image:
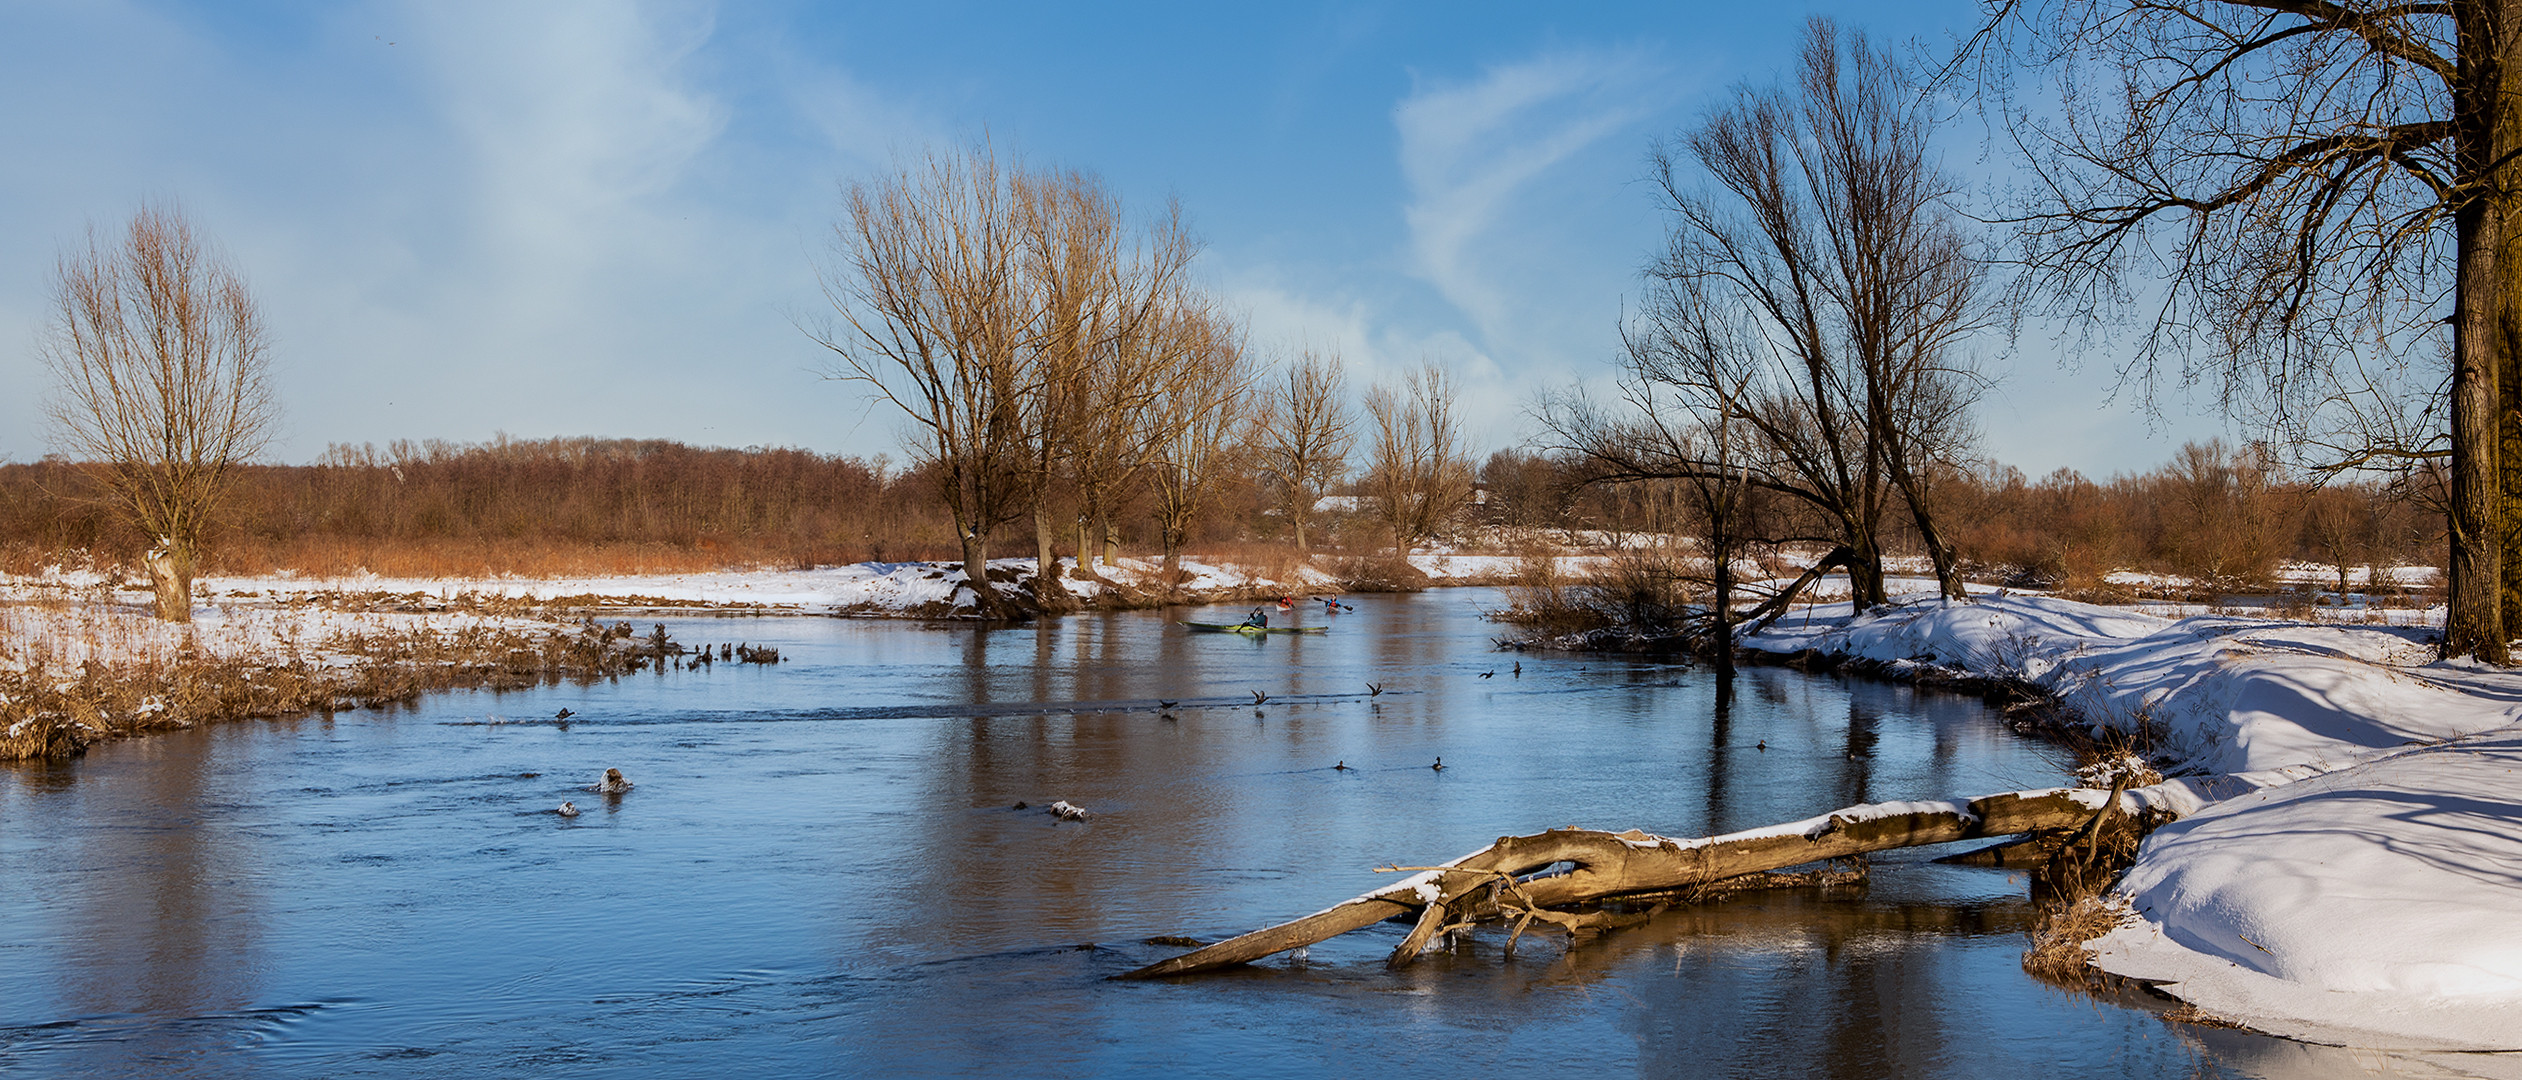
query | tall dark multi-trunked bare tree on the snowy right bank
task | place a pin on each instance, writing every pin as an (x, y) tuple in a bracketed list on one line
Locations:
[(1812, 304)]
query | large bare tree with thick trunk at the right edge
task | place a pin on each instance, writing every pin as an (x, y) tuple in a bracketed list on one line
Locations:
[(2294, 188)]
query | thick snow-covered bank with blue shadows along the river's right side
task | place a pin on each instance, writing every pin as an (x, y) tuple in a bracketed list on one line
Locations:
[(2362, 877)]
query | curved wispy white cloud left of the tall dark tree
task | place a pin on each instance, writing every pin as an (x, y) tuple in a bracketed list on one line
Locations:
[(1472, 150)]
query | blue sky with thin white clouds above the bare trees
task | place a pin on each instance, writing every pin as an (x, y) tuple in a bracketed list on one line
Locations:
[(601, 218)]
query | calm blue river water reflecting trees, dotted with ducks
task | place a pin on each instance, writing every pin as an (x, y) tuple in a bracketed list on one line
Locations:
[(821, 872)]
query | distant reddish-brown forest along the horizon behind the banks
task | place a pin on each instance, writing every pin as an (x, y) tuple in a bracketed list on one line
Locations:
[(647, 506)]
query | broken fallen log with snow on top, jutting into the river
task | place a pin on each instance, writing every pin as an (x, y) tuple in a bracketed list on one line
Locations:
[(1567, 867)]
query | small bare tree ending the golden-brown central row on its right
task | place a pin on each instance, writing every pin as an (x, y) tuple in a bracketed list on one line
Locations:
[(1419, 471)]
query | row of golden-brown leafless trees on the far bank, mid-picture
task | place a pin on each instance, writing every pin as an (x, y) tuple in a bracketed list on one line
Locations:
[(1058, 357)]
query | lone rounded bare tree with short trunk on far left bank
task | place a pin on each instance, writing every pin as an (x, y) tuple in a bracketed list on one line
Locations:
[(163, 385)]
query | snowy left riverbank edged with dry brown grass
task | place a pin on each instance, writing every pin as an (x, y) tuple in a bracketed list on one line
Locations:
[(82, 660)]
